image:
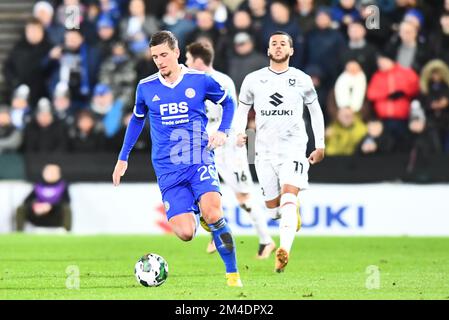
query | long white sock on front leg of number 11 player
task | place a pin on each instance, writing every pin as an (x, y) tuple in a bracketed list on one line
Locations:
[(289, 220)]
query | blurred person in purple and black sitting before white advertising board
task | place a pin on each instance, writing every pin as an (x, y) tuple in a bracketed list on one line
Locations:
[(48, 205)]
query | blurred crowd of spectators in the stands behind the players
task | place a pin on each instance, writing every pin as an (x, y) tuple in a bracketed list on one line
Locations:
[(382, 76)]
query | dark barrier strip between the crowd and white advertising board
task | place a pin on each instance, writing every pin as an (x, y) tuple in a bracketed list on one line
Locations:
[(97, 167)]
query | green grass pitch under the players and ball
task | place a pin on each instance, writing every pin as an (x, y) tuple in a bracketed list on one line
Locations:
[(35, 267)]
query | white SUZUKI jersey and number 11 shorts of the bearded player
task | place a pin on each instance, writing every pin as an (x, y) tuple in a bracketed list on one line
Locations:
[(281, 138)]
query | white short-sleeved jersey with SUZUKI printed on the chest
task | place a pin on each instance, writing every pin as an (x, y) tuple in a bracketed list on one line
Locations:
[(278, 100)]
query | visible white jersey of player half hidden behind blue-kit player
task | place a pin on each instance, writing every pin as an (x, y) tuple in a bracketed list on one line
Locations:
[(214, 112)]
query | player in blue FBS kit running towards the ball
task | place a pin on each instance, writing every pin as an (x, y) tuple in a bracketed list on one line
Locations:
[(182, 153)]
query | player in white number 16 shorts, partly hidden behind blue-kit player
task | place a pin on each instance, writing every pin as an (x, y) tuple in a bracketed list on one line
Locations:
[(230, 160)]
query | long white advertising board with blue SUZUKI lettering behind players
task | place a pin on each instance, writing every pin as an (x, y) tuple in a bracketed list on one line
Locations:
[(327, 209)]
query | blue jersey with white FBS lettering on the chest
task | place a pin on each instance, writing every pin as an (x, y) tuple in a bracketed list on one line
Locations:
[(177, 115)]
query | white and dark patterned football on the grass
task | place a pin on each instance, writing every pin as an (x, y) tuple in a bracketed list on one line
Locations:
[(151, 270)]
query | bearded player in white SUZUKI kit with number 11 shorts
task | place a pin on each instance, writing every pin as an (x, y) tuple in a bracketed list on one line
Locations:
[(278, 94)]
